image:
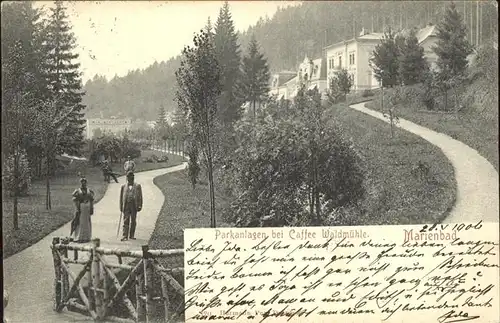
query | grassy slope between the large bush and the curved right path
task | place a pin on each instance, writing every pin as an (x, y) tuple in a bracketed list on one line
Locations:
[(396, 195)]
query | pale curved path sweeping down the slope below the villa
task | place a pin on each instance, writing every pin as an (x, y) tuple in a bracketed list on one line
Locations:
[(477, 180)]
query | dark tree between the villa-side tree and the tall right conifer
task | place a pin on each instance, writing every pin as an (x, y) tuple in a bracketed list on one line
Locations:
[(412, 63)]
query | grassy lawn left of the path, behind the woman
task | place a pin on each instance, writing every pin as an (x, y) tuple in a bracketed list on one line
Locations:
[(35, 222)]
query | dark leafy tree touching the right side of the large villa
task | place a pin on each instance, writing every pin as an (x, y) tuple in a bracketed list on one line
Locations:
[(384, 61)]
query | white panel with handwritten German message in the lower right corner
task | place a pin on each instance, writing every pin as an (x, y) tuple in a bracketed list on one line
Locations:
[(378, 274)]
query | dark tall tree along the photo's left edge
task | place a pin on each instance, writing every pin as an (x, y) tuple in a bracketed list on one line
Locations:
[(22, 86)]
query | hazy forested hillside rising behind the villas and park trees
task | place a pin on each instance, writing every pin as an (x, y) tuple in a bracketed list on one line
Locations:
[(285, 39)]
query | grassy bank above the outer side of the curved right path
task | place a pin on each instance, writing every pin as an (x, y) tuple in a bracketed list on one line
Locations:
[(478, 133)]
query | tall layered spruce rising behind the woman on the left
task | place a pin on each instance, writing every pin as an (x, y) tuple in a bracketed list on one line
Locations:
[(63, 76)]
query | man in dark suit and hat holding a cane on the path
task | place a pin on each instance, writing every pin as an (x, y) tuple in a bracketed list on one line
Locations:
[(130, 204)]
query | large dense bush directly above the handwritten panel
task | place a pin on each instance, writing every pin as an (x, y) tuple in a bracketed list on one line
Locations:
[(271, 178)]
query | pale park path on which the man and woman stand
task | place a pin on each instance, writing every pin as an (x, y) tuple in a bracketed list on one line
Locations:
[(29, 274)]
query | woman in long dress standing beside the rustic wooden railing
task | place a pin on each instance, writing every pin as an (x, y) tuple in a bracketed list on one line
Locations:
[(84, 208)]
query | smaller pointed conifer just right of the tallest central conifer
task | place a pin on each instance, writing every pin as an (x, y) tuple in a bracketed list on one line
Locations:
[(254, 84)]
